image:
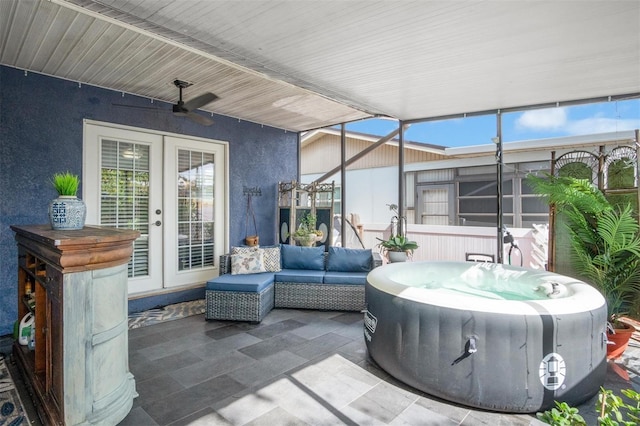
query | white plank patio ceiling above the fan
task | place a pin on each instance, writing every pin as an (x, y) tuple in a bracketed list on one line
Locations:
[(301, 65)]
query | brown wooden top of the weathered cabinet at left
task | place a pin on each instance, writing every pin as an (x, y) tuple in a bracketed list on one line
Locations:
[(93, 247)]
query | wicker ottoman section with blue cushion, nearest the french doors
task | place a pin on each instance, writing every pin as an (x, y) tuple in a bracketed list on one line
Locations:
[(239, 297)]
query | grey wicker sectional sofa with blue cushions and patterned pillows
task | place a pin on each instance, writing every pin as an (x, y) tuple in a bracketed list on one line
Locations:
[(253, 281)]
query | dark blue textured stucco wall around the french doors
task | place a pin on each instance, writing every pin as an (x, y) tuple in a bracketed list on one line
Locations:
[(41, 123)]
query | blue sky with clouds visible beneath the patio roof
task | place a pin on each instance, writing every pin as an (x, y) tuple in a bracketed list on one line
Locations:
[(533, 124)]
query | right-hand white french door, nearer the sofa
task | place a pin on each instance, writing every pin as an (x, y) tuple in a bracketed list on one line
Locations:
[(194, 199)]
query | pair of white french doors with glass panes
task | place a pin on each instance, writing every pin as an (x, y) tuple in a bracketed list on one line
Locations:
[(171, 189)]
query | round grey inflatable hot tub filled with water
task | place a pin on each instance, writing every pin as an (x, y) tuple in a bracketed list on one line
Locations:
[(487, 335)]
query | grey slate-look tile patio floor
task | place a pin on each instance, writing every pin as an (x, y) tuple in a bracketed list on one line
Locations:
[(295, 368)]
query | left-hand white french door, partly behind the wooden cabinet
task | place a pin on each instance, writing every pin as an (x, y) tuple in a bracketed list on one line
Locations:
[(122, 187)]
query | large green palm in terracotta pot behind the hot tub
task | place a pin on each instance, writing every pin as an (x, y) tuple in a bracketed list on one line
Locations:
[(605, 246)]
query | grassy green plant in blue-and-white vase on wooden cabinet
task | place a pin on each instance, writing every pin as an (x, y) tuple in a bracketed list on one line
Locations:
[(66, 212)]
